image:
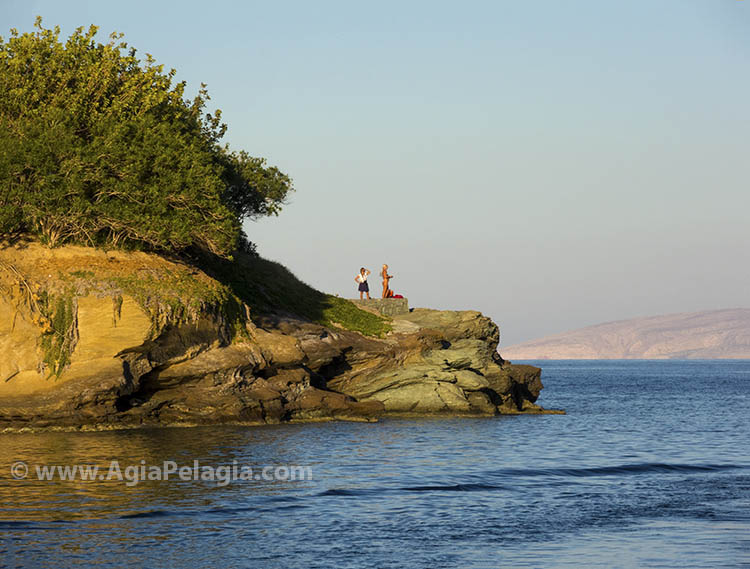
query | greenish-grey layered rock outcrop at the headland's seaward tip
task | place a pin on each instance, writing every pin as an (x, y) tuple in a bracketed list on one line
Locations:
[(441, 362)]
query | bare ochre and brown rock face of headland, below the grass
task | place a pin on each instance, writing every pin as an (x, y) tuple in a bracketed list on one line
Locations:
[(281, 368)]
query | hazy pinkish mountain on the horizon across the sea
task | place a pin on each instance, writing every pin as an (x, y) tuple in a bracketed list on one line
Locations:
[(713, 334)]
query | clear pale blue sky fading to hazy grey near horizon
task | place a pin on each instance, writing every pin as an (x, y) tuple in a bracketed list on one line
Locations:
[(551, 164)]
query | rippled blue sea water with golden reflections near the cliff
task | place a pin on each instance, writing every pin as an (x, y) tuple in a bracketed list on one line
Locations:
[(649, 468)]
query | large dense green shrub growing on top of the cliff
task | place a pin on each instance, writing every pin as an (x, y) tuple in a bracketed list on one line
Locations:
[(97, 146)]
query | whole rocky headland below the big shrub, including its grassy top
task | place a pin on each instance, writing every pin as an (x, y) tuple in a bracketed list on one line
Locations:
[(99, 339)]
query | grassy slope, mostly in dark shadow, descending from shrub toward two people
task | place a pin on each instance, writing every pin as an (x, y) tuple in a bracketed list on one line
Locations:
[(269, 287)]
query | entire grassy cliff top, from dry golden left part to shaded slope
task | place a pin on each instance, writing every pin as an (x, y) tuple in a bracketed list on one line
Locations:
[(174, 290)]
